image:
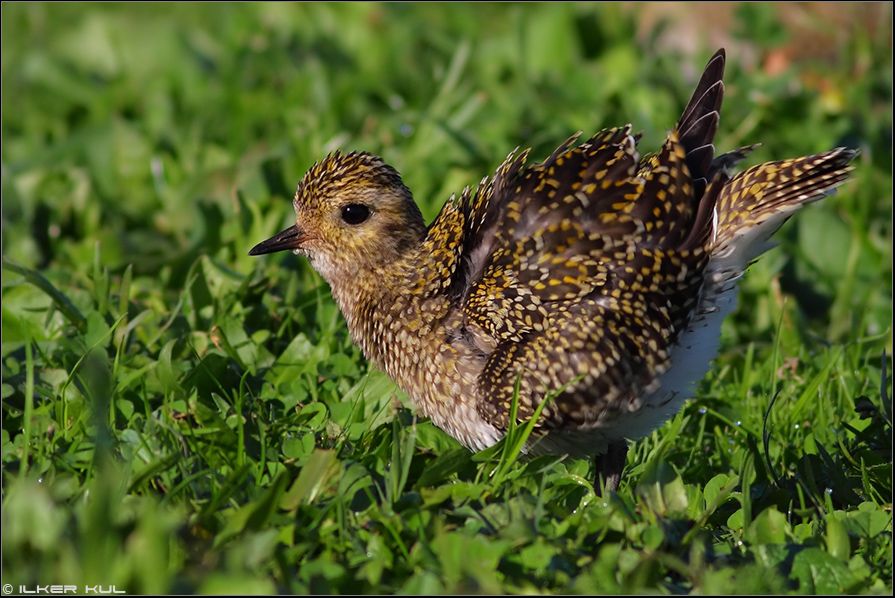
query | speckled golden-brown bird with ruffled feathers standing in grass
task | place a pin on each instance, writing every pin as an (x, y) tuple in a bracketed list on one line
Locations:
[(587, 289)]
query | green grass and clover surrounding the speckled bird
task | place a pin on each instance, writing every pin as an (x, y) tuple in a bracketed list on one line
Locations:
[(179, 417)]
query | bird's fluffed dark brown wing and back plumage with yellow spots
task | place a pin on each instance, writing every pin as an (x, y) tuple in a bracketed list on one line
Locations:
[(586, 282)]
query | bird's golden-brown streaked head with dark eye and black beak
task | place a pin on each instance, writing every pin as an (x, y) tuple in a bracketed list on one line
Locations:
[(353, 214)]
